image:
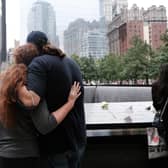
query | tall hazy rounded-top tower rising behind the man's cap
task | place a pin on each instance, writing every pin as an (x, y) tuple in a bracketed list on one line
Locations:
[(42, 17)]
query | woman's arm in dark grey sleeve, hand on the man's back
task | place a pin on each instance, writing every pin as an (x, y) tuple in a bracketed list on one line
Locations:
[(45, 121)]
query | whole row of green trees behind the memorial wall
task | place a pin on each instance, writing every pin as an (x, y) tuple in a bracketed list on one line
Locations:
[(140, 62)]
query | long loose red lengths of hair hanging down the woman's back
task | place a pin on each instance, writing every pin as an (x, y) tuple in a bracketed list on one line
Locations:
[(14, 77)]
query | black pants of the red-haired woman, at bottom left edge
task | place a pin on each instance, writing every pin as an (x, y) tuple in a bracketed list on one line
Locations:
[(21, 163)]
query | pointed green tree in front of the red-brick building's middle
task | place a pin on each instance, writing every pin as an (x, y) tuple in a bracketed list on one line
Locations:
[(136, 61)]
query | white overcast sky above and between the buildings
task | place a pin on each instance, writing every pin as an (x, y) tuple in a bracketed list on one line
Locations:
[(66, 11)]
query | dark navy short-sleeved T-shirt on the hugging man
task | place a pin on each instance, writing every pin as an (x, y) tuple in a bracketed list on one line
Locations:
[(51, 77)]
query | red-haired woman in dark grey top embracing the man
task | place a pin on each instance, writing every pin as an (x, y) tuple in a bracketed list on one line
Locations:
[(19, 128)]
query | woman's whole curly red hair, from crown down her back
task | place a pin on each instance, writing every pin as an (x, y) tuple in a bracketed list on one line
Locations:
[(12, 80)]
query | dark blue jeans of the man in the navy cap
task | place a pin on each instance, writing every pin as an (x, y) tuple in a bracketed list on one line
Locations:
[(68, 159)]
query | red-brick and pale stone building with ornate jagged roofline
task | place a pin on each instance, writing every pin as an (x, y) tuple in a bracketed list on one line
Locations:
[(148, 25)]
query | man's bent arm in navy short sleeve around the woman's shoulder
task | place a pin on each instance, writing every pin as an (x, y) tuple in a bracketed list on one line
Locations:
[(35, 83)]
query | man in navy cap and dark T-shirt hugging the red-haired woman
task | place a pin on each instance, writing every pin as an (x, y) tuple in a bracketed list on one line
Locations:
[(51, 78)]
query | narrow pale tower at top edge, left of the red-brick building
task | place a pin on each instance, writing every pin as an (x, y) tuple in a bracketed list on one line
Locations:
[(105, 7)]
